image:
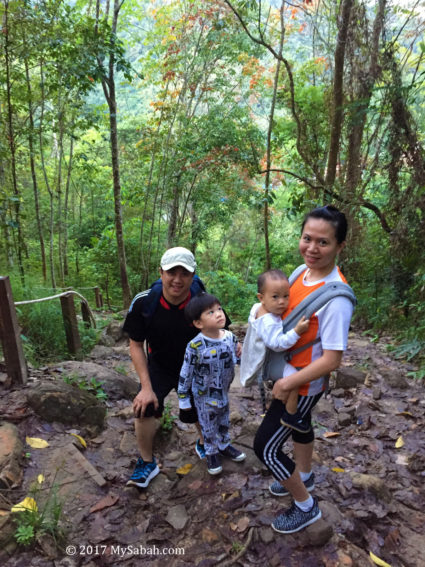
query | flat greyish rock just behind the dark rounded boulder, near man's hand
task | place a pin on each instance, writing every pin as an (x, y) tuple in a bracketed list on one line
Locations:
[(118, 386)]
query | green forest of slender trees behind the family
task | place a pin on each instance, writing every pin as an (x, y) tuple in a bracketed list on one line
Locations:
[(131, 126)]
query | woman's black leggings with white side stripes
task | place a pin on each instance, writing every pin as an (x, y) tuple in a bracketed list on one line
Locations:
[(271, 435)]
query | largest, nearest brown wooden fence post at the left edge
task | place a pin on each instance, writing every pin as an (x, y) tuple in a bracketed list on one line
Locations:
[(10, 334)]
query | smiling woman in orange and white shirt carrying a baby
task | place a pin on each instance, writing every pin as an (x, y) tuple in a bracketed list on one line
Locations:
[(322, 238)]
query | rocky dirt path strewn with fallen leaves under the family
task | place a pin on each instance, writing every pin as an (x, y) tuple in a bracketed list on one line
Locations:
[(369, 467)]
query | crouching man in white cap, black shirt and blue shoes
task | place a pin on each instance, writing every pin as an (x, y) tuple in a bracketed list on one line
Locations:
[(157, 316)]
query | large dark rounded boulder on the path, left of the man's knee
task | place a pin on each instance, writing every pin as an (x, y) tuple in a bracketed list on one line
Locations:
[(58, 401)]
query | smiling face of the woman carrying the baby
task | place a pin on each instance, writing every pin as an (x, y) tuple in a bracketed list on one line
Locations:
[(319, 246)]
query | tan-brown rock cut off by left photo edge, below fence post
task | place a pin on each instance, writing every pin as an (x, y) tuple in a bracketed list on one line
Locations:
[(11, 451)]
